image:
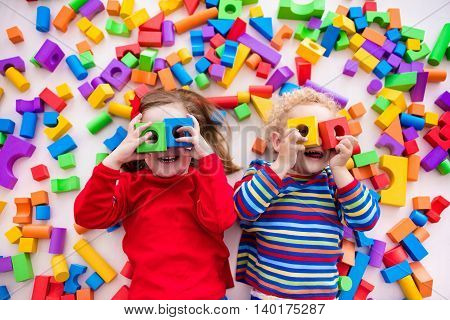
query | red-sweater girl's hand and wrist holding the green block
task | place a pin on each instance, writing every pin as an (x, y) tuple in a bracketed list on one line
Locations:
[(125, 152)]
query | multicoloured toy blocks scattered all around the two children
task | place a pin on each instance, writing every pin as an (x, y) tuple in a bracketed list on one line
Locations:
[(222, 45)]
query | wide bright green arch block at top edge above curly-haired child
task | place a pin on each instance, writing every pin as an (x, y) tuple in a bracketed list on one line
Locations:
[(291, 10)]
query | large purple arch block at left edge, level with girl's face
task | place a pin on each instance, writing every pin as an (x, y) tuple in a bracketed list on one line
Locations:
[(13, 149)]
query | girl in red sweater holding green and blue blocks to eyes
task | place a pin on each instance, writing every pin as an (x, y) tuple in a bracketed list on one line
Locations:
[(174, 205)]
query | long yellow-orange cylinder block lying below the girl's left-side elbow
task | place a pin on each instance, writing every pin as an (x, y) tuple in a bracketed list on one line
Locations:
[(95, 261)]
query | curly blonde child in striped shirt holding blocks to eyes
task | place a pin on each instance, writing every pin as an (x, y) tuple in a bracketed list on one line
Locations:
[(292, 211)]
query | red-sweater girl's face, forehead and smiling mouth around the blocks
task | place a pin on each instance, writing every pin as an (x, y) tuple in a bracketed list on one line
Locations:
[(174, 161)]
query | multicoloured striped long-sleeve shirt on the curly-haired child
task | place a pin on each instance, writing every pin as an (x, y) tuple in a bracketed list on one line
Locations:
[(292, 230)]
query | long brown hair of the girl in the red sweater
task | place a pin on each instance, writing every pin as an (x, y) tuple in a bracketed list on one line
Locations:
[(202, 110)]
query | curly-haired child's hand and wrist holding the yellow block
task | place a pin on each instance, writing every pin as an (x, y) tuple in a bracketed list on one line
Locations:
[(290, 146)]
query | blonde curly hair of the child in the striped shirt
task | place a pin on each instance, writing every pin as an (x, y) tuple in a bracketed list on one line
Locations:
[(303, 96)]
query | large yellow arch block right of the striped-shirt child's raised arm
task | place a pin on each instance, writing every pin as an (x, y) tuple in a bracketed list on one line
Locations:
[(397, 169)]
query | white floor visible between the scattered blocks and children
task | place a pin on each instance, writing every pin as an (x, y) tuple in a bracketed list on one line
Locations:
[(428, 15)]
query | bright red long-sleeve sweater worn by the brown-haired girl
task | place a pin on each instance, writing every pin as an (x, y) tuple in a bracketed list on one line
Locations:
[(174, 227)]
